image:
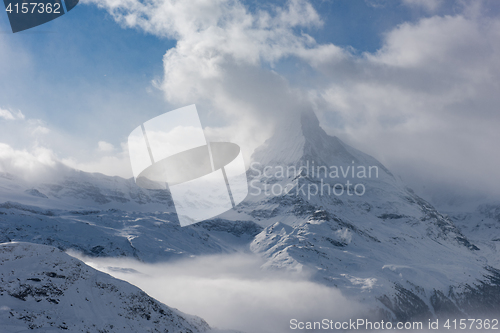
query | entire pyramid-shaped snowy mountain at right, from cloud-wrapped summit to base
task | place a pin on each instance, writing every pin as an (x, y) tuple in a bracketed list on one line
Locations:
[(383, 244)]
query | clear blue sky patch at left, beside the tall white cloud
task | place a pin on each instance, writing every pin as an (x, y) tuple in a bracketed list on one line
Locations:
[(84, 66)]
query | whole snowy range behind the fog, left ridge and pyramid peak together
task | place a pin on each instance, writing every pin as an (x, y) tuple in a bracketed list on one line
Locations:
[(315, 204)]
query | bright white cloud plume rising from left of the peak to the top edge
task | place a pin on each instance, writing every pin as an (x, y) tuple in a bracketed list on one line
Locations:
[(219, 57)]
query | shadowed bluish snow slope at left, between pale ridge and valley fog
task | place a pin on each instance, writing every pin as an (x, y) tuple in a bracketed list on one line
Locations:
[(155, 236)]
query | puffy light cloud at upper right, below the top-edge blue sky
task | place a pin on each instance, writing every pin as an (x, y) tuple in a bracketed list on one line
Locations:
[(438, 43)]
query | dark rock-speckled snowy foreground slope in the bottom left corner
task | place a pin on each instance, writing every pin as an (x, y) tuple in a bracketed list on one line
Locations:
[(43, 290)]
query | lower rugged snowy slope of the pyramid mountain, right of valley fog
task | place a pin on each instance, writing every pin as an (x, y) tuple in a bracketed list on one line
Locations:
[(402, 272)]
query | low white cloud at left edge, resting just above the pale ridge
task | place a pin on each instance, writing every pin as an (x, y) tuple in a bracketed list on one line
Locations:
[(29, 150)]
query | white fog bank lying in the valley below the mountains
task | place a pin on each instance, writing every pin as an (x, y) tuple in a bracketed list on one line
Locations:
[(233, 292)]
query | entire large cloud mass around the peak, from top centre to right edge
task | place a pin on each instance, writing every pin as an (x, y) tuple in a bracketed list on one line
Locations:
[(425, 103)]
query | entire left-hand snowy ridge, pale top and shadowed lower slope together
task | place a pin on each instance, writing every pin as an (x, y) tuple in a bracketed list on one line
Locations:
[(100, 215)]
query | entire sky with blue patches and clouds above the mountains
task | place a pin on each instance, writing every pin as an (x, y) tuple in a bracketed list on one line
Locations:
[(375, 71)]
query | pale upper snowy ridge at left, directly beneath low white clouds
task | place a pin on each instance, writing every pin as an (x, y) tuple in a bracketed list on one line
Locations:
[(65, 188)]
